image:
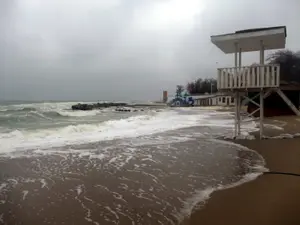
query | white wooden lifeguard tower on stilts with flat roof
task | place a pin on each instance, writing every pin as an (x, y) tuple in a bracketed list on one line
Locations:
[(262, 78)]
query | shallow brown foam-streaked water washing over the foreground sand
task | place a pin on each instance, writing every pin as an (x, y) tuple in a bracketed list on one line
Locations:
[(147, 180)]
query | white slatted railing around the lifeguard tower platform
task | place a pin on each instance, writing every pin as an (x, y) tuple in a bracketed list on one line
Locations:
[(256, 76)]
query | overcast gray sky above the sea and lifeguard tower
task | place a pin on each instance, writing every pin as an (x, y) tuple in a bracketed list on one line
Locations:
[(123, 49)]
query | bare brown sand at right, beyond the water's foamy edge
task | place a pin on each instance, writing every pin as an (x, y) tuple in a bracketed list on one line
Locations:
[(271, 198)]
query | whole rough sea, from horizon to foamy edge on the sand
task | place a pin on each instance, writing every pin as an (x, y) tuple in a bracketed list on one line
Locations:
[(151, 165)]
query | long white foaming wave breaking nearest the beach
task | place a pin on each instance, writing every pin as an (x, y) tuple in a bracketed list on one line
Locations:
[(86, 133)]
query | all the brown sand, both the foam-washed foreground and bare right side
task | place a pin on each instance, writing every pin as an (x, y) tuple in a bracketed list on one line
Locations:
[(125, 183)]
